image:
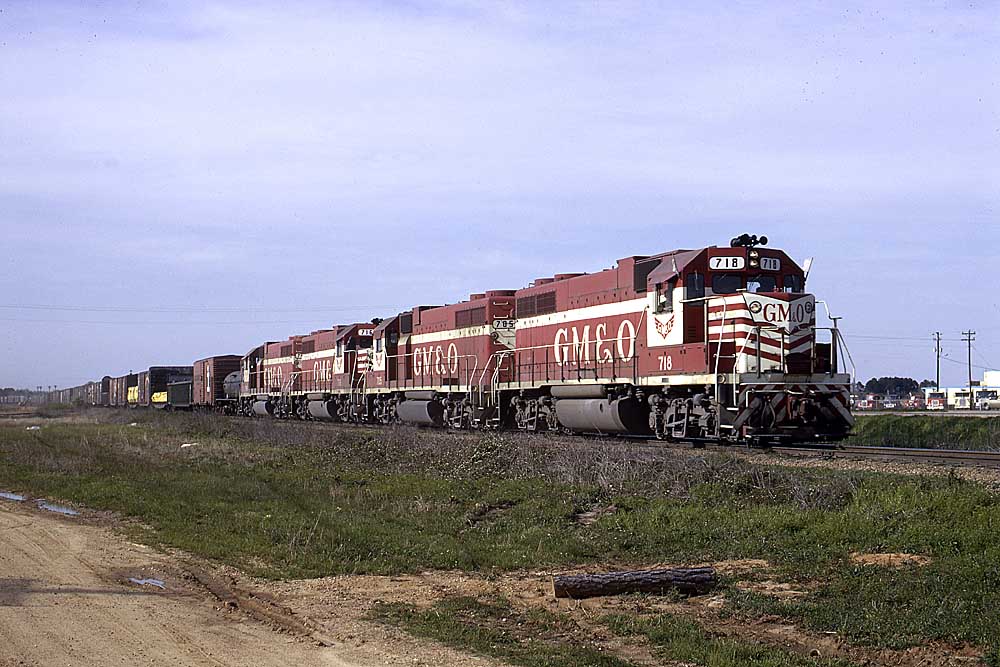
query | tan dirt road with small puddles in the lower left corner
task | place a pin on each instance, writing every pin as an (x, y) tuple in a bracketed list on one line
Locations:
[(66, 599)]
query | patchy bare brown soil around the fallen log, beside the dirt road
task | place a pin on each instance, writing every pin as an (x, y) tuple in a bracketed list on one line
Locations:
[(342, 601)]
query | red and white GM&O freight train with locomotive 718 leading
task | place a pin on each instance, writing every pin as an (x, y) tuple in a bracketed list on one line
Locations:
[(717, 344)]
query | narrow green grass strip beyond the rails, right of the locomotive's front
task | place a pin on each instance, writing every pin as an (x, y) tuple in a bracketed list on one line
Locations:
[(939, 432)]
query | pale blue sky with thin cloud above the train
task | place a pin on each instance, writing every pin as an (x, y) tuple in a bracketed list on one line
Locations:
[(181, 180)]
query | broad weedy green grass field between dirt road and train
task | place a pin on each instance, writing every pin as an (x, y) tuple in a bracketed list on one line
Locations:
[(289, 500)]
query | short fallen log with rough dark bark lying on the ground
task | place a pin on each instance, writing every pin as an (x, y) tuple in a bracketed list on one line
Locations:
[(688, 581)]
